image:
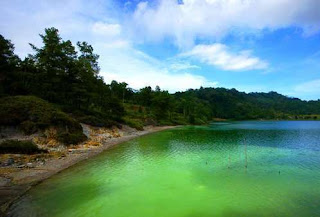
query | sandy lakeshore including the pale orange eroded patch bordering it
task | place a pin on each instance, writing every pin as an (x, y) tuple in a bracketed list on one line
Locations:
[(15, 181)]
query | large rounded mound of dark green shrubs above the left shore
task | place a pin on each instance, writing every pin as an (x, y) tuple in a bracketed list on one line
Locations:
[(30, 114)]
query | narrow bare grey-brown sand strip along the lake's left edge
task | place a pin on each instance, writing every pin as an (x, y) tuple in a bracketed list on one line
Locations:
[(14, 182)]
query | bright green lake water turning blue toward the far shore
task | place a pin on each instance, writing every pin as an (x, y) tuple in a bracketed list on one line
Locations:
[(192, 172)]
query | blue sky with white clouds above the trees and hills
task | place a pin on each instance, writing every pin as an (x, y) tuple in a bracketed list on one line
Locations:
[(250, 45)]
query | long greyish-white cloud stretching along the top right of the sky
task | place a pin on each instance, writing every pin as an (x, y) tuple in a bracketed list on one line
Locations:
[(215, 18)]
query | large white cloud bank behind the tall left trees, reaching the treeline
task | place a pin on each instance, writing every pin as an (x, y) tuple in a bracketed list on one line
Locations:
[(93, 21)]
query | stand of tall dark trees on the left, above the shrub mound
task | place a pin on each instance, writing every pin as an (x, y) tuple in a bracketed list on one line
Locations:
[(58, 74)]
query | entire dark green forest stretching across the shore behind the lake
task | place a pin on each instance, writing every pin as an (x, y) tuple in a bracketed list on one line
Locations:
[(67, 77)]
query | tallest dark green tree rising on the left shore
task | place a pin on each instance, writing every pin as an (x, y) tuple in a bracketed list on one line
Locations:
[(57, 62)]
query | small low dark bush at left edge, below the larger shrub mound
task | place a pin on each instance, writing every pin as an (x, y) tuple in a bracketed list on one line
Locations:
[(19, 147)]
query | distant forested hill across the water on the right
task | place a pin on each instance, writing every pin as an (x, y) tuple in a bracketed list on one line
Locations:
[(232, 104)]
